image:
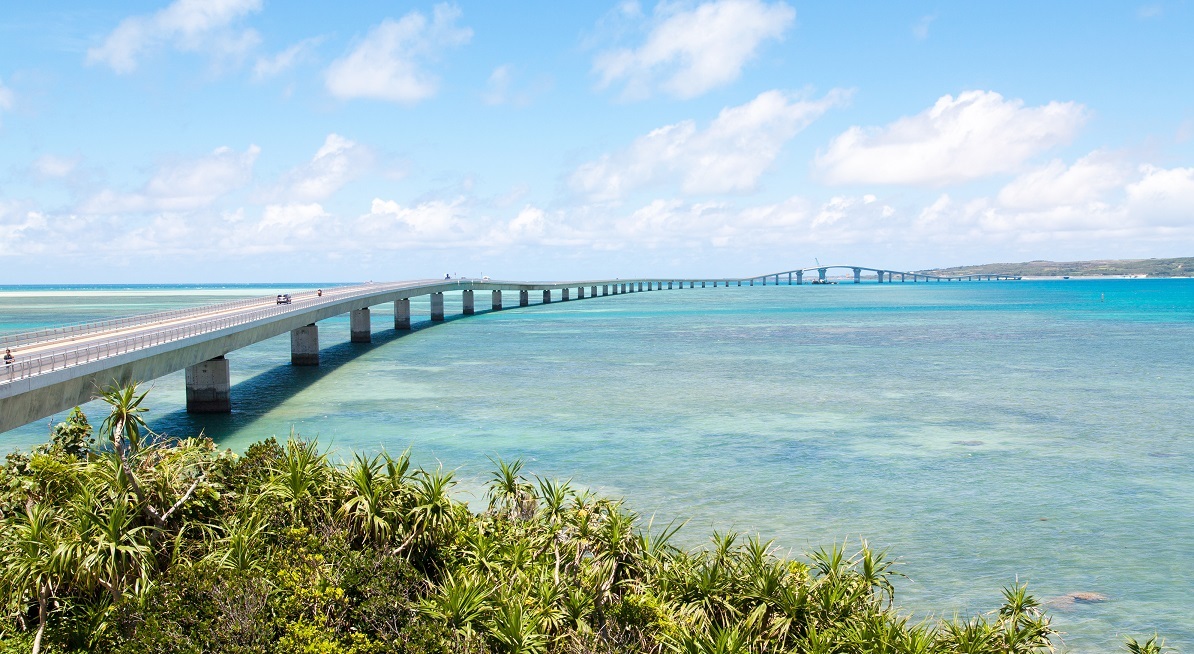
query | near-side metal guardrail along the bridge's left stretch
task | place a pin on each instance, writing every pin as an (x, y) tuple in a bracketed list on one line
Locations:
[(26, 368)]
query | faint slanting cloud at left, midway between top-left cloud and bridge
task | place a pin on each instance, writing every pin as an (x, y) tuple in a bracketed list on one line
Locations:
[(183, 186)]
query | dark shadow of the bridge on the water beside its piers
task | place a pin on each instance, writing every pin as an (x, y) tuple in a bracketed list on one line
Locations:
[(255, 398)]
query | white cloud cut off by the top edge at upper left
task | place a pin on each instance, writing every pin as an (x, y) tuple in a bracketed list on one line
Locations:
[(189, 26)]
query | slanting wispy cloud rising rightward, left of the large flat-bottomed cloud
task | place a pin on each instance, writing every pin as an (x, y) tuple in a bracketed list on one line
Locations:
[(729, 156)]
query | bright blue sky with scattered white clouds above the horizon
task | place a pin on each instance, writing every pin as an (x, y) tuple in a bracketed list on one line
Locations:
[(229, 141)]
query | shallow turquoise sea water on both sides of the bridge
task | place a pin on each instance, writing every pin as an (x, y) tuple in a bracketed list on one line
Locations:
[(986, 433)]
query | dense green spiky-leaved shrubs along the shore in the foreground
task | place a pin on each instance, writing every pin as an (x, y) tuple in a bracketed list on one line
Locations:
[(150, 545)]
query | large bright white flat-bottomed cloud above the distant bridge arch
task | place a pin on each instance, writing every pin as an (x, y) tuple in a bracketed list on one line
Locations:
[(976, 135)]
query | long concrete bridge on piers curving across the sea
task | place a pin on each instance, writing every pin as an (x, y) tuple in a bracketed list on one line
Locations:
[(60, 368)]
